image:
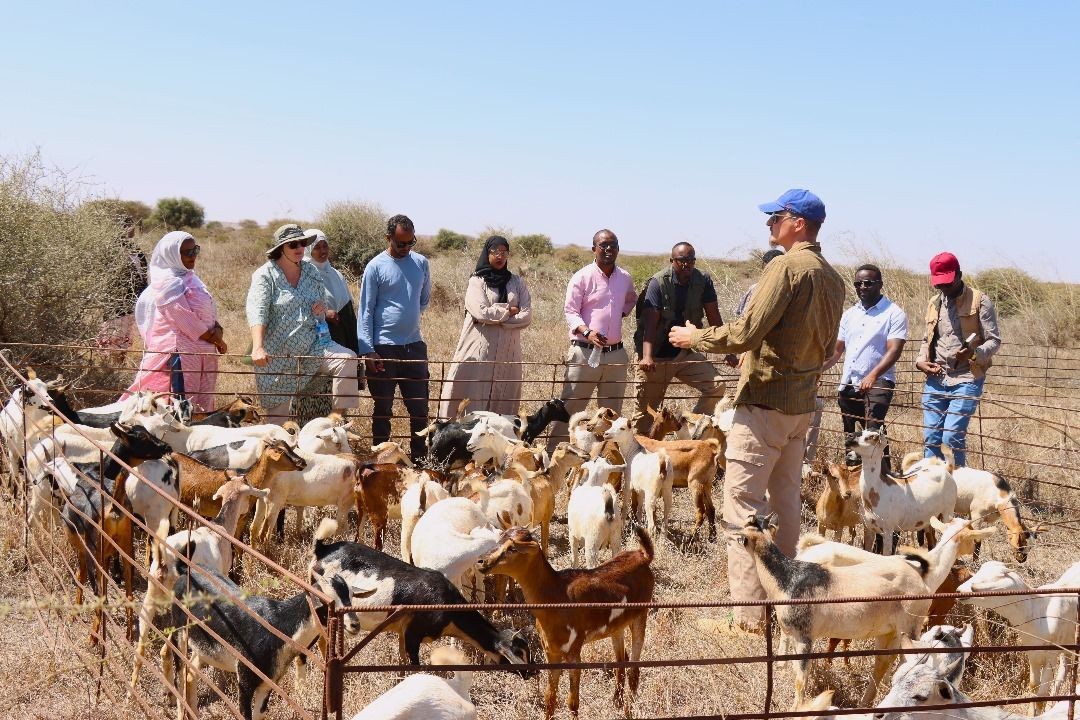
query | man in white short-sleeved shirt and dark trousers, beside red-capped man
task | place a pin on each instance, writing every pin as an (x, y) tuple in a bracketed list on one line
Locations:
[(872, 336)]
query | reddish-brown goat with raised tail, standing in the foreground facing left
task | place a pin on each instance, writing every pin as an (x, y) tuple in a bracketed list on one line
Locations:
[(627, 578)]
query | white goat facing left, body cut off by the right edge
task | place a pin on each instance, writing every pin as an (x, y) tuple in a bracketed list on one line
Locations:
[(1038, 619)]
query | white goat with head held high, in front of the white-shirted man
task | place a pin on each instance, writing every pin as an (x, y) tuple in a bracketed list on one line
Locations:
[(893, 505)]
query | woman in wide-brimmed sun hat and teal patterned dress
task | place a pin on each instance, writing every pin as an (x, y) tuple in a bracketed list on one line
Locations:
[(289, 308)]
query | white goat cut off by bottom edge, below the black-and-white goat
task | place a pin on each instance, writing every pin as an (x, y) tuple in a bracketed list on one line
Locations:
[(425, 697)]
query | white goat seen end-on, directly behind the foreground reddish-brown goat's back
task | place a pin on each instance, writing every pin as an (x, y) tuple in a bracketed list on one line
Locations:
[(595, 514)]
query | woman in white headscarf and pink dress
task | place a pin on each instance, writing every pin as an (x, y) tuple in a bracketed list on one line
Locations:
[(178, 320)]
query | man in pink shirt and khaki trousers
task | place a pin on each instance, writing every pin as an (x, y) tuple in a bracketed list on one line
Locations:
[(598, 298)]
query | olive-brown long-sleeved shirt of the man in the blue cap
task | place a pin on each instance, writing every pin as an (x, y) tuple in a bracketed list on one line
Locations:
[(787, 332)]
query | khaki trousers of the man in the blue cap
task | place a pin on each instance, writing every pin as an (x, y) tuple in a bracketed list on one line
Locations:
[(765, 456)]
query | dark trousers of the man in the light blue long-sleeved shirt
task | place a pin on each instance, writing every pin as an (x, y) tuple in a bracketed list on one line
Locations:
[(412, 377)]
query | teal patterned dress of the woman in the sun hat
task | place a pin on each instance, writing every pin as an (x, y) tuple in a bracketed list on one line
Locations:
[(286, 314)]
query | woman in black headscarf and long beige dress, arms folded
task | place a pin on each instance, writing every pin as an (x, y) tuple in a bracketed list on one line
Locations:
[(487, 365)]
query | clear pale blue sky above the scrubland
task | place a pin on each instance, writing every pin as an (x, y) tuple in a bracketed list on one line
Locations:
[(924, 127)]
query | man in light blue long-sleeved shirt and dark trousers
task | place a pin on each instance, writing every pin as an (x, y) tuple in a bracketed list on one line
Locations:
[(395, 291)]
